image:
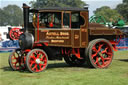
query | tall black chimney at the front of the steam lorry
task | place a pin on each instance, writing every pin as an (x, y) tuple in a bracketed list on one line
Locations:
[(26, 17)]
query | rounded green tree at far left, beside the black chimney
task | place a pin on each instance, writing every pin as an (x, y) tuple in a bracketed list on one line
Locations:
[(11, 15)]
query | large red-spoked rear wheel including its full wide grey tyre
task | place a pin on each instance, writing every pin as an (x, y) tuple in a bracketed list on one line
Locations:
[(99, 53)]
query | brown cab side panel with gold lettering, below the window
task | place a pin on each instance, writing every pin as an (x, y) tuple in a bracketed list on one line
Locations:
[(56, 37)]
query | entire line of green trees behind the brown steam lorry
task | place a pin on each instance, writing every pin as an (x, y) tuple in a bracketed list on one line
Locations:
[(13, 14)]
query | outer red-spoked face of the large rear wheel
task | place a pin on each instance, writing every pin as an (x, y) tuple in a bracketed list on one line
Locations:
[(101, 54)]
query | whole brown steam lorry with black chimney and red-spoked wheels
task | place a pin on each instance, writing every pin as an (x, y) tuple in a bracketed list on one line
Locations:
[(57, 33)]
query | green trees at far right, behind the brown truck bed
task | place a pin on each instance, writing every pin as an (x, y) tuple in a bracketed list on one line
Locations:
[(120, 12)]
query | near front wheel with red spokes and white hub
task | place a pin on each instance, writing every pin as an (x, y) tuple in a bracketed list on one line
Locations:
[(36, 60)]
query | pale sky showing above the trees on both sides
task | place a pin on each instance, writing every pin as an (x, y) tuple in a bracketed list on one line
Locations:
[(93, 4)]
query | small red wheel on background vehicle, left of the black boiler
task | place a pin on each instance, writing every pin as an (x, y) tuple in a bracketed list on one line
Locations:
[(15, 33)]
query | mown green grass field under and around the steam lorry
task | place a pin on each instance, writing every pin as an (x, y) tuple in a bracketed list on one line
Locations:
[(59, 73)]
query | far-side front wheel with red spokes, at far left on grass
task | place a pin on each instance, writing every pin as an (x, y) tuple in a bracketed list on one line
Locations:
[(16, 60)]
